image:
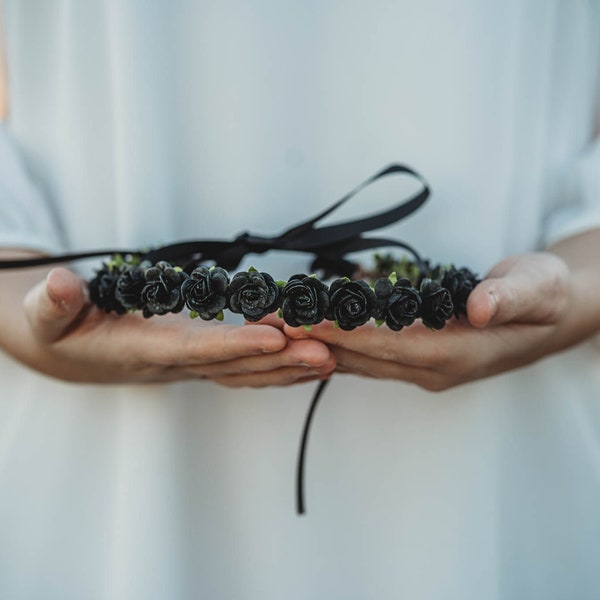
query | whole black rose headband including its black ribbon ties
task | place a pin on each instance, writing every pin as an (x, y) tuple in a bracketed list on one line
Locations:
[(194, 274)]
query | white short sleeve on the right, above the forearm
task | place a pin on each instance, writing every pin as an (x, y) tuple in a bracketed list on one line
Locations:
[(582, 187)]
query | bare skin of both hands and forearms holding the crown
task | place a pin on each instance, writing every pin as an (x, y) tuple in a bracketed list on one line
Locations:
[(528, 307)]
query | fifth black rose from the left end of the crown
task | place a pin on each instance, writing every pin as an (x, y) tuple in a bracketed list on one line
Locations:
[(253, 294)]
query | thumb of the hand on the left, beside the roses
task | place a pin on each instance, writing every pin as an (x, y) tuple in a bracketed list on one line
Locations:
[(54, 304)]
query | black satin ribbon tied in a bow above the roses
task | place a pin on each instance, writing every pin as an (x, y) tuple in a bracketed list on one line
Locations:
[(328, 244)]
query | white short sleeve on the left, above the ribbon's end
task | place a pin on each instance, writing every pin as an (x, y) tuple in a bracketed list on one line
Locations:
[(26, 217)]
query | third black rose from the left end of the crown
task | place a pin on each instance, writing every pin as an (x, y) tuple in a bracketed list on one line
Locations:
[(162, 292)]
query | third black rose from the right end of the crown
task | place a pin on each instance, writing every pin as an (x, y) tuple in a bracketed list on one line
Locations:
[(399, 304)]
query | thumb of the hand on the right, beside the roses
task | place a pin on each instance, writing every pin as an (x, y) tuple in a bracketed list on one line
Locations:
[(524, 289)]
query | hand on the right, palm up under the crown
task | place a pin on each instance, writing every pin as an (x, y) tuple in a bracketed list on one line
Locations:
[(527, 308)]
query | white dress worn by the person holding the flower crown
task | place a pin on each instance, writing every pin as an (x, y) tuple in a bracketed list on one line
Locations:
[(146, 122)]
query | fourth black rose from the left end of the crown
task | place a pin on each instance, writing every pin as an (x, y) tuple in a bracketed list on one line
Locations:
[(205, 291)]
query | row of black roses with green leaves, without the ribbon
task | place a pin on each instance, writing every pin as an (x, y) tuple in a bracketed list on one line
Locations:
[(411, 291)]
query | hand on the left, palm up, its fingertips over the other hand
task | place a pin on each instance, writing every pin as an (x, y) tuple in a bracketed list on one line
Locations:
[(65, 336)]
